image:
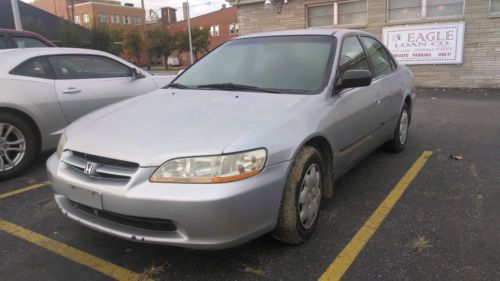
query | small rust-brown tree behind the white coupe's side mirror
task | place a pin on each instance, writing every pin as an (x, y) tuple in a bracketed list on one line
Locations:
[(160, 43)]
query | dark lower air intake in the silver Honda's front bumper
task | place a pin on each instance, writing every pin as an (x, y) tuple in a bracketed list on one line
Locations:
[(129, 221)]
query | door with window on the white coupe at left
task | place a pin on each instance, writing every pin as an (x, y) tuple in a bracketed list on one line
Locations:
[(87, 82)]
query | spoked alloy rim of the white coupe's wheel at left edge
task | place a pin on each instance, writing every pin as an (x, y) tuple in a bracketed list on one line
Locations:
[(12, 146)]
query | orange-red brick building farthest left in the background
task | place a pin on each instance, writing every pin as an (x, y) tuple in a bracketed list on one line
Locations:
[(88, 12)]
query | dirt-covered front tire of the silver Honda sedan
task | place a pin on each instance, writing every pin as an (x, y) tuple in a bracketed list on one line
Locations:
[(299, 210)]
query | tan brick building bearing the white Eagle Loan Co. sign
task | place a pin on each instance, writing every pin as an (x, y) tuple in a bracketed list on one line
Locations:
[(477, 57)]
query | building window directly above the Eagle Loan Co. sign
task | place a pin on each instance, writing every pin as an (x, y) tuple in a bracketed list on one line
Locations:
[(421, 9)]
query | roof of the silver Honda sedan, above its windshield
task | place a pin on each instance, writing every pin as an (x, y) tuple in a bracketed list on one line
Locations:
[(337, 32)]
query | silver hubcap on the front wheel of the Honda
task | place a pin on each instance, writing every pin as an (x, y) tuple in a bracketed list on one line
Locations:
[(310, 196)]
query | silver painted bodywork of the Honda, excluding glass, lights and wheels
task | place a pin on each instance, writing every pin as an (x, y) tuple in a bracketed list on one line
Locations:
[(173, 123)]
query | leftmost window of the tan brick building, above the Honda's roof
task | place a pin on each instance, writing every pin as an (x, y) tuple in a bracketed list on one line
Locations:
[(353, 12)]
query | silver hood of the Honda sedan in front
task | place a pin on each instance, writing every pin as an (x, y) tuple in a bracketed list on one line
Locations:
[(167, 124)]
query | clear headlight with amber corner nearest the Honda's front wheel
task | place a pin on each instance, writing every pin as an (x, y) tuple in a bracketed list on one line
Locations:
[(212, 169)]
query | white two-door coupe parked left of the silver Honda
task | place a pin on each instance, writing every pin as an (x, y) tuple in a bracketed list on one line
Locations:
[(45, 89)]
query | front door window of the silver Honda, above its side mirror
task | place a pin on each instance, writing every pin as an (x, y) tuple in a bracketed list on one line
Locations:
[(352, 56)]
